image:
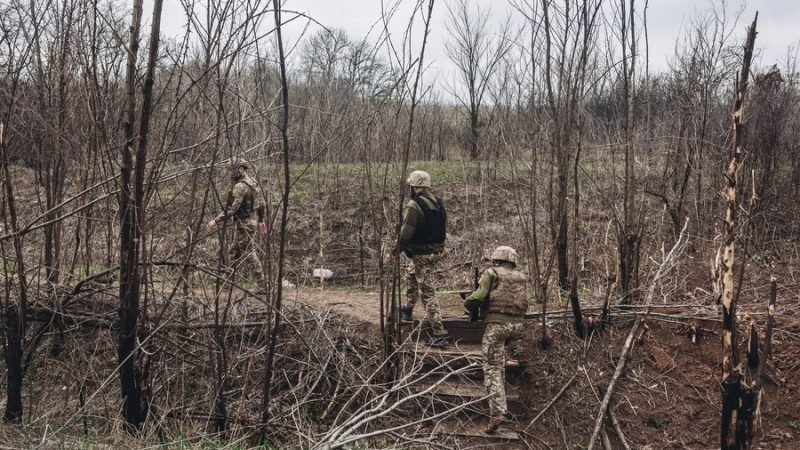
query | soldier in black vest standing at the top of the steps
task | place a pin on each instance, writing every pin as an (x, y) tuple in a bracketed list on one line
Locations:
[(422, 237)]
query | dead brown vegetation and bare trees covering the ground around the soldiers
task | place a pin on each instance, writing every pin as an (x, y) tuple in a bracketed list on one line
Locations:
[(124, 323)]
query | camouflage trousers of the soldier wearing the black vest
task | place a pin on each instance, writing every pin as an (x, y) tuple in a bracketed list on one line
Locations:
[(420, 278)]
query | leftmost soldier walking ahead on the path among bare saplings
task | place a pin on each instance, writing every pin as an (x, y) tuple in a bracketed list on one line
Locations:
[(244, 204)]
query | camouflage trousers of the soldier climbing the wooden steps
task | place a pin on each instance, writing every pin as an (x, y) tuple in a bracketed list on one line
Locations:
[(494, 363)]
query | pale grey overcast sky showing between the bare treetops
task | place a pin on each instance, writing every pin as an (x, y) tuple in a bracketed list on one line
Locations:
[(778, 24)]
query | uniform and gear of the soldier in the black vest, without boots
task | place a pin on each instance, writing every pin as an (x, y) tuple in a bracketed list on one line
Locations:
[(424, 252)]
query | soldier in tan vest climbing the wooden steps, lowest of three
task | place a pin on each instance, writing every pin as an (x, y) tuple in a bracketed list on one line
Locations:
[(503, 303)]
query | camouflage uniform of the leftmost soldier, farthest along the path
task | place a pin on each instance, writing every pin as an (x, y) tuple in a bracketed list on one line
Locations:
[(243, 200)]
